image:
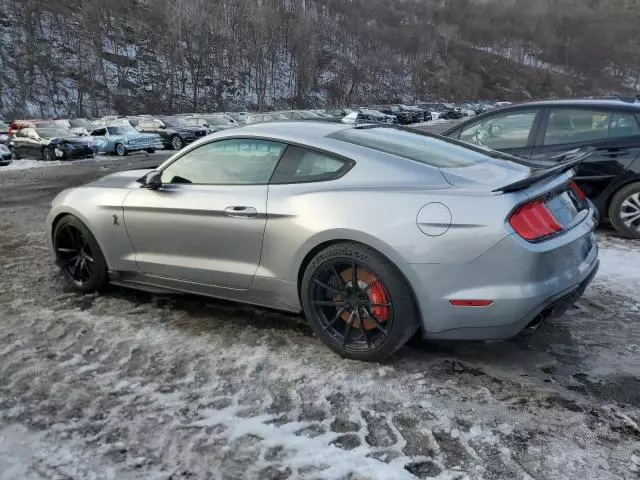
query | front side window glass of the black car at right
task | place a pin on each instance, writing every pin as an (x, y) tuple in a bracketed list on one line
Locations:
[(501, 132)]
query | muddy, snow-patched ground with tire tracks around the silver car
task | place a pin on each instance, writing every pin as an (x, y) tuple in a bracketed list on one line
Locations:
[(126, 385)]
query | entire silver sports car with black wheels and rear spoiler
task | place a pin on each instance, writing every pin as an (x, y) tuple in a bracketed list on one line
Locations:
[(374, 232)]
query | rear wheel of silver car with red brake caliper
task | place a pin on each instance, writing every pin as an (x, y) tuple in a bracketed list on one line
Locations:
[(358, 302)]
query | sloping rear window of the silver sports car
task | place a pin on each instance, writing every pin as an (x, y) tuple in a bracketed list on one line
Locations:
[(432, 150)]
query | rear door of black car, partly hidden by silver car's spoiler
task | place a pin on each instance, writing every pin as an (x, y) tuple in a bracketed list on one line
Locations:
[(615, 135)]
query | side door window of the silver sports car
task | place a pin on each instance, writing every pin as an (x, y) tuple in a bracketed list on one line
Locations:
[(226, 162)]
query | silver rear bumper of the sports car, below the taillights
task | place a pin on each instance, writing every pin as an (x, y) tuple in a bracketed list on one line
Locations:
[(523, 281)]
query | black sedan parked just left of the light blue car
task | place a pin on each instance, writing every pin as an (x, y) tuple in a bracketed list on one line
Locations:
[(50, 143)]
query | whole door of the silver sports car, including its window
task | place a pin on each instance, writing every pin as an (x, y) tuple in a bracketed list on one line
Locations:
[(206, 223)]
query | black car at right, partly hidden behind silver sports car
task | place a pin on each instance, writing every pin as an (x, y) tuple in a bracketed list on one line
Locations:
[(540, 130)]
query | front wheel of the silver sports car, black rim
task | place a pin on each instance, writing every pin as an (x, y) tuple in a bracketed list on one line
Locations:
[(78, 255)]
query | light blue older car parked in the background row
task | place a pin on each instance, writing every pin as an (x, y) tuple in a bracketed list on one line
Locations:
[(122, 140)]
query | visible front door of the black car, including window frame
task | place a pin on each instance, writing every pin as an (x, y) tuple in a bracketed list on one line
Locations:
[(512, 132)]
